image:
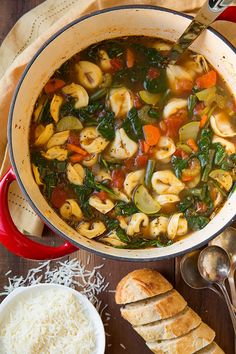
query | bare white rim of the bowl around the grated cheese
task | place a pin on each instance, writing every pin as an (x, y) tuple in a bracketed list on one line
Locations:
[(24, 292)]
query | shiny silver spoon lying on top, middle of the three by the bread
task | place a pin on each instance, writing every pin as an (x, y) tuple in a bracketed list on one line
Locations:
[(214, 266)]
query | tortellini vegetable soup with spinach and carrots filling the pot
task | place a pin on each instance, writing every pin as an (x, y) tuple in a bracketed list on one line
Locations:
[(129, 151)]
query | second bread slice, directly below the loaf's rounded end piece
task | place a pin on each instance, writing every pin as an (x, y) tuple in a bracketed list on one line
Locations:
[(153, 309)]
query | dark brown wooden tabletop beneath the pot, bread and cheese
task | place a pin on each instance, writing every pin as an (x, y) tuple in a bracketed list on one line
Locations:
[(206, 303)]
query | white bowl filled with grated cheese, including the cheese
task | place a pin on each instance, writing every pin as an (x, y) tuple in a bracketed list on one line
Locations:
[(50, 319)]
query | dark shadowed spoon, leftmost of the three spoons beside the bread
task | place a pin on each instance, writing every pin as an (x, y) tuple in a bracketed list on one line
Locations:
[(190, 273)]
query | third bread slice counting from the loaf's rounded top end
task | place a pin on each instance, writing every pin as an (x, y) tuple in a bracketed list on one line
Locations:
[(172, 327)]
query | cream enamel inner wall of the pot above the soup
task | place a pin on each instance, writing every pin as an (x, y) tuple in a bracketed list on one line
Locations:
[(111, 23)]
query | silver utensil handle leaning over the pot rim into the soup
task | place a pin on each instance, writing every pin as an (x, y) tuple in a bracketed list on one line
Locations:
[(206, 15)]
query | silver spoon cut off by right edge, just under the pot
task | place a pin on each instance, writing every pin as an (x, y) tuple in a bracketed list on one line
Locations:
[(227, 241)]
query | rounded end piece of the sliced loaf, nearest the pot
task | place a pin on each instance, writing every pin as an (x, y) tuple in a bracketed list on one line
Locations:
[(141, 284)]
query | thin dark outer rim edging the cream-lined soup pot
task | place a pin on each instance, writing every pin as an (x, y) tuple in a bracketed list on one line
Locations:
[(9, 133)]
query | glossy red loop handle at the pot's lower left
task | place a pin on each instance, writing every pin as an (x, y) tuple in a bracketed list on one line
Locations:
[(14, 240)]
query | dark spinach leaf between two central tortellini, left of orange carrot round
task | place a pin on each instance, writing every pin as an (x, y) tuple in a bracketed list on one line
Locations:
[(133, 126)]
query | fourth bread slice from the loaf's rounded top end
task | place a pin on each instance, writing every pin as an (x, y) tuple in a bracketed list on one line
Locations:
[(195, 340)]
